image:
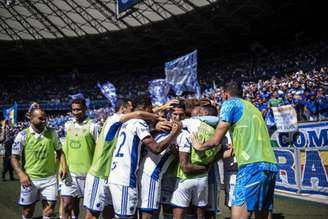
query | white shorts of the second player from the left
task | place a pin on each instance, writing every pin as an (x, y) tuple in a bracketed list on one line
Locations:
[(73, 186)]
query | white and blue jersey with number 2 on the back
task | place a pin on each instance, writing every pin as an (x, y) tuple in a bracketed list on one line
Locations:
[(127, 152)]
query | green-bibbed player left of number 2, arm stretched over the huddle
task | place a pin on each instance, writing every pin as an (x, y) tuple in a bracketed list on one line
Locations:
[(96, 194)]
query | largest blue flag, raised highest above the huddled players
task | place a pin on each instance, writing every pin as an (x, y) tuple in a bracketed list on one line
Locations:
[(181, 74)]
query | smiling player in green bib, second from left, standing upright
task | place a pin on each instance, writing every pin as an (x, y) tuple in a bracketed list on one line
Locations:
[(79, 146)]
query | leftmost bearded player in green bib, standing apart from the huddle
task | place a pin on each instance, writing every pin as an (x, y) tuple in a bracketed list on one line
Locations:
[(36, 145)]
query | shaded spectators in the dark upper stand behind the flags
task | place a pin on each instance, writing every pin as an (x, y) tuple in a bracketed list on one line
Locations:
[(256, 63)]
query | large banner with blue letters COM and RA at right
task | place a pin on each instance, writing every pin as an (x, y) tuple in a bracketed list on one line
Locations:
[(302, 157)]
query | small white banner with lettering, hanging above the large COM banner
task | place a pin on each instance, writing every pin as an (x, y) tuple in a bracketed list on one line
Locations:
[(285, 118)]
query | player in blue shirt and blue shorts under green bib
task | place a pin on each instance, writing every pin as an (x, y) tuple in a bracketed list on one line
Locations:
[(257, 171)]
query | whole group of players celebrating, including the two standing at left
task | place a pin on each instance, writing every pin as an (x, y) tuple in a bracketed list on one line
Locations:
[(147, 160)]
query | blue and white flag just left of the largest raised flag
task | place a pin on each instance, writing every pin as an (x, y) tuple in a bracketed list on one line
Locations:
[(158, 90)]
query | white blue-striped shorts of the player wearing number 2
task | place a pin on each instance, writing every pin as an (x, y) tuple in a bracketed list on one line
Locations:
[(125, 200)]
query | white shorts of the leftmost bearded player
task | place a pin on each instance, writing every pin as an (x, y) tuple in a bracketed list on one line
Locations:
[(44, 189)]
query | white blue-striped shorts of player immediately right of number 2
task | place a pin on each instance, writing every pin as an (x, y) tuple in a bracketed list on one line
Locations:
[(149, 193)]
